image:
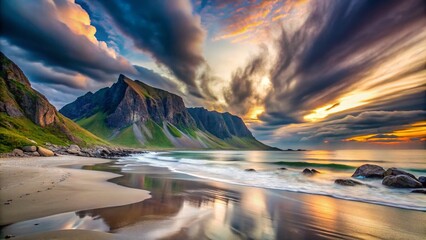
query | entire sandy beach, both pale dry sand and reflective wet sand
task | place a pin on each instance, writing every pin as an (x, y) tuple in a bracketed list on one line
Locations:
[(150, 202)]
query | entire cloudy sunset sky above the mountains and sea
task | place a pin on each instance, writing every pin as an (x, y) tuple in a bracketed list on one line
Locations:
[(301, 73)]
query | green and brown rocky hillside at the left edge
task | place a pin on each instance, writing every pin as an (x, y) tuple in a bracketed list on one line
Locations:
[(27, 117)]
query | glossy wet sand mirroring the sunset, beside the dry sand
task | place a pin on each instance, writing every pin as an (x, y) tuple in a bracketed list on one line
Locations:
[(184, 207)]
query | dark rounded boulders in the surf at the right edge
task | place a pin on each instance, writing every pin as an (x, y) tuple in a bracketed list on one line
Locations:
[(392, 177)]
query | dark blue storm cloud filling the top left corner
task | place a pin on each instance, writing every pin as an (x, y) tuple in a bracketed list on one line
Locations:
[(35, 27)]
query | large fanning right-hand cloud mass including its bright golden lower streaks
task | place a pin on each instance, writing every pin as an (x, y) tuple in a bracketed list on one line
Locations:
[(348, 57)]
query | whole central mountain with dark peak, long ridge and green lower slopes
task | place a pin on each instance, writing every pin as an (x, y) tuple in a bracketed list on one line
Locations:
[(134, 114)]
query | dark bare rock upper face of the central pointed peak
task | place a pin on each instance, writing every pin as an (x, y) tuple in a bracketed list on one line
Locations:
[(127, 102)]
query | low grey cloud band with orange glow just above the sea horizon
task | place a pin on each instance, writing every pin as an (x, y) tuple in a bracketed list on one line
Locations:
[(372, 127)]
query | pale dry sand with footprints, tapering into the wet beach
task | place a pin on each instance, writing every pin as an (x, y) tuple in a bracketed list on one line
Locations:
[(36, 187)]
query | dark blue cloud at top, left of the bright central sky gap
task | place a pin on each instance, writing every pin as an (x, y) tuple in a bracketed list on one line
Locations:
[(167, 29)]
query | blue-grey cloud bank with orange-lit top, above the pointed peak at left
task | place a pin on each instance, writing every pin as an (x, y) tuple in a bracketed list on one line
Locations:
[(60, 48)]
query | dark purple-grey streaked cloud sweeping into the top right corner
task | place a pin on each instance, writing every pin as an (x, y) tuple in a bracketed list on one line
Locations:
[(307, 73)]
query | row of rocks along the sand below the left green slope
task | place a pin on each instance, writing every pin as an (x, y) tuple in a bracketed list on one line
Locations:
[(55, 150)]
